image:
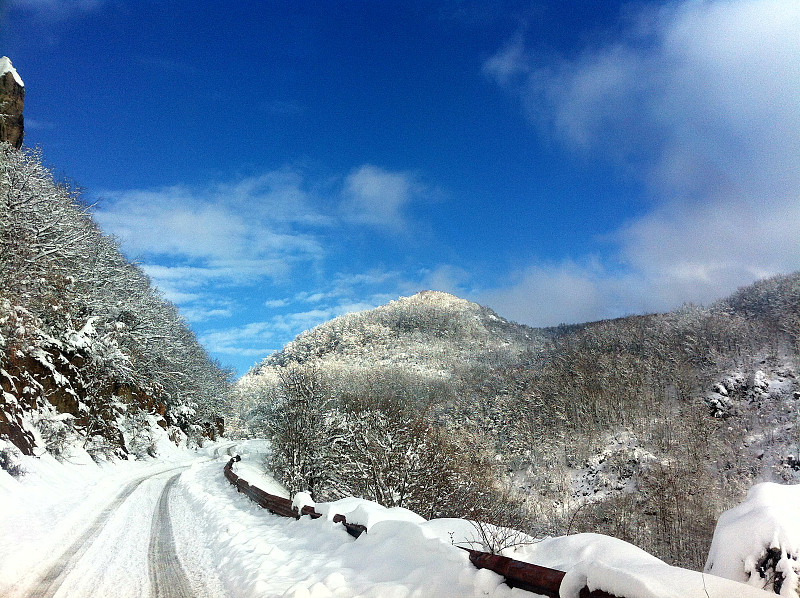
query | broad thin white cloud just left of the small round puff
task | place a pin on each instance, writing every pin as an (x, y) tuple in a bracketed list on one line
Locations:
[(236, 232)]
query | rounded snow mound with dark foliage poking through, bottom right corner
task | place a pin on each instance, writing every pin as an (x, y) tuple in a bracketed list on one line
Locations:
[(758, 541)]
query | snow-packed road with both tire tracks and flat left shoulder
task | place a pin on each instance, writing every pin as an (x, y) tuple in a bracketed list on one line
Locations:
[(95, 539)]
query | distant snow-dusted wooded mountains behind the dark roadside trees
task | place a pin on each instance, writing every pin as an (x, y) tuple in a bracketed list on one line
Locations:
[(645, 428)]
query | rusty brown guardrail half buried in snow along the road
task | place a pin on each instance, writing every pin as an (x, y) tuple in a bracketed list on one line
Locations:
[(518, 574)]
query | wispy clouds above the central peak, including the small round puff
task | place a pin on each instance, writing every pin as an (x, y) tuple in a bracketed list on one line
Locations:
[(209, 250)]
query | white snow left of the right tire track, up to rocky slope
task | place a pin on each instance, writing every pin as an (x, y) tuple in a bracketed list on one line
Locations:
[(77, 528)]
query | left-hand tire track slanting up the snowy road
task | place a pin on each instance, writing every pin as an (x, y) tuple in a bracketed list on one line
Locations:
[(49, 583)]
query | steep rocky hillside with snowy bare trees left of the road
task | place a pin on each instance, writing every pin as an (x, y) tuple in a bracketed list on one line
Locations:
[(89, 350)]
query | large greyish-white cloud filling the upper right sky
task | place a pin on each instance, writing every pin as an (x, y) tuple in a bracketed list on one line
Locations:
[(702, 101)]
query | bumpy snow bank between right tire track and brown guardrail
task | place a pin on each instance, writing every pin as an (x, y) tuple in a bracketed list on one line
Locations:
[(259, 554)]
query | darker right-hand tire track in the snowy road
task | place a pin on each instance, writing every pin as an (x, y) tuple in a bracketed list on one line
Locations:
[(167, 577)]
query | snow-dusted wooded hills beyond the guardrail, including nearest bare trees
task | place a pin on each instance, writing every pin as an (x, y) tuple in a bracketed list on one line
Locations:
[(645, 428)]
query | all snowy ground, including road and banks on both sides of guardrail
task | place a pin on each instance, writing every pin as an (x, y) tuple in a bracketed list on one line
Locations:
[(81, 529)]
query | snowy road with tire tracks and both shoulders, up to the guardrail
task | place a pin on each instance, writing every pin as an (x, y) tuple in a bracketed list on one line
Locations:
[(175, 528)]
